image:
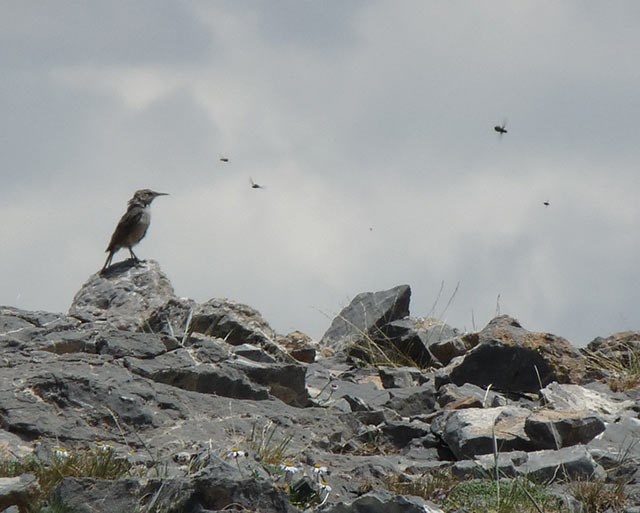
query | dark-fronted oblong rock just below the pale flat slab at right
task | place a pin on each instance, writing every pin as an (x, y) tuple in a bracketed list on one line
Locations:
[(552, 429)]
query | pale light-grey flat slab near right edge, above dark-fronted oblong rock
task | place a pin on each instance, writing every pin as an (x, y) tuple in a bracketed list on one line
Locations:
[(575, 397)]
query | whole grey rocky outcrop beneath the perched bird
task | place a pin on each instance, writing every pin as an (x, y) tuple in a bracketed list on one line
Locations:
[(208, 408)]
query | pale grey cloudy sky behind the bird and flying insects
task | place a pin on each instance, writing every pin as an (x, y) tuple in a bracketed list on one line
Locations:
[(369, 122)]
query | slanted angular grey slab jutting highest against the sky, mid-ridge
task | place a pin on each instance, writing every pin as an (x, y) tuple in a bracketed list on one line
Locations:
[(368, 315)]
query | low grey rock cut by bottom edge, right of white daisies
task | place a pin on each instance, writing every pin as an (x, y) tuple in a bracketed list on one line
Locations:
[(381, 501)]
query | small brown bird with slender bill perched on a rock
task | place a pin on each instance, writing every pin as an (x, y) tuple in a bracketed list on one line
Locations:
[(133, 225)]
